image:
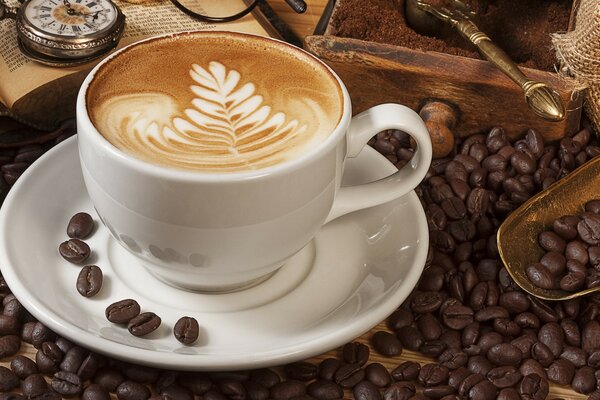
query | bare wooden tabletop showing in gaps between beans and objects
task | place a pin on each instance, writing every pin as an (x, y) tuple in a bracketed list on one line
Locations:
[(303, 25)]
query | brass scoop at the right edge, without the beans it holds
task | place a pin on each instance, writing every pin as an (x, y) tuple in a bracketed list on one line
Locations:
[(517, 236)]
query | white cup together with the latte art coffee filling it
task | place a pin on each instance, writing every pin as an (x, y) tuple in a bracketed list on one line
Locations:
[(214, 157)]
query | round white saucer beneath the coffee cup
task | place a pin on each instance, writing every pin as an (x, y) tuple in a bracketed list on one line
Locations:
[(356, 271)]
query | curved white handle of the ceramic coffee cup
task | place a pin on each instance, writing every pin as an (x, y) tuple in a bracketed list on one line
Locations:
[(362, 128)]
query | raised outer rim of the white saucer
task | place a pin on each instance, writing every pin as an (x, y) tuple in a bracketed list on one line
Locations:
[(299, 350)]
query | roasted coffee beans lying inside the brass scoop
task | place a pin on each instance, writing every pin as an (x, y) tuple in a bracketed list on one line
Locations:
[(571, 260)]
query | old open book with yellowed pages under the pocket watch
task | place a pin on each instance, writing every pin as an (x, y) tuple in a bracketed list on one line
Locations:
[(41, 96)]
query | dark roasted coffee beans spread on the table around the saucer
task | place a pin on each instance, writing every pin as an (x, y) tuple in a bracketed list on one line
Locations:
[(486, 339)]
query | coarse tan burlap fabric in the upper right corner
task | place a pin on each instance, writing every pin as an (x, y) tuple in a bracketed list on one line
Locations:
[(579, 51)]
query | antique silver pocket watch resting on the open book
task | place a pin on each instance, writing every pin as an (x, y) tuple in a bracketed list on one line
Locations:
[(66, 32)]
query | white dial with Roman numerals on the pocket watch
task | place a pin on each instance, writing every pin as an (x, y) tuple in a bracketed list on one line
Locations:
[(72, 18)]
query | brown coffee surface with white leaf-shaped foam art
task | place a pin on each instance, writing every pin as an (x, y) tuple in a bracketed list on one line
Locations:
[(215, 102)]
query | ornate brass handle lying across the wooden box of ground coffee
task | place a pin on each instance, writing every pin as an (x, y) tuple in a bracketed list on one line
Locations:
[(424, 17)]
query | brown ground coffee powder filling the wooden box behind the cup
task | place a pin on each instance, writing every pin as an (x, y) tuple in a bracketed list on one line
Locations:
[(521, 28)]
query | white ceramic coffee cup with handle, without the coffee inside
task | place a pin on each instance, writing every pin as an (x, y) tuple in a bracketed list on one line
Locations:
[(225, 231)]
